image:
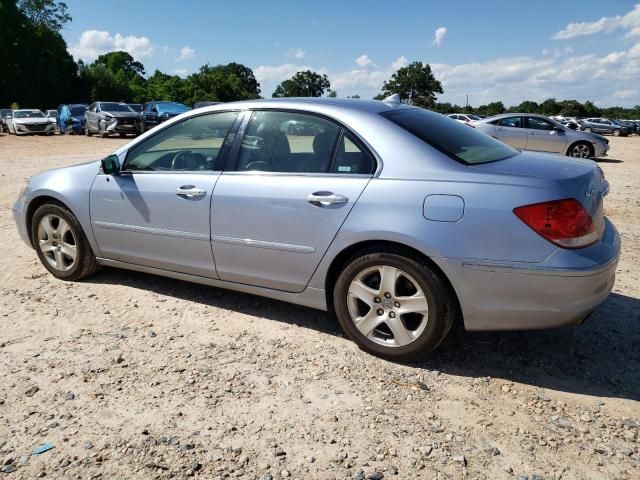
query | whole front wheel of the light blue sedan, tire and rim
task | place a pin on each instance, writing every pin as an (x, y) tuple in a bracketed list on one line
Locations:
[(54, 241)]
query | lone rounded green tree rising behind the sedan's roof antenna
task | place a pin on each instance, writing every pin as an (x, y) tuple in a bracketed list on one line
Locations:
[(415, 83)]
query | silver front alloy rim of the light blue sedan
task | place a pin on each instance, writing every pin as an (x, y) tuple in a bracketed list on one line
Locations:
[(57, 242)]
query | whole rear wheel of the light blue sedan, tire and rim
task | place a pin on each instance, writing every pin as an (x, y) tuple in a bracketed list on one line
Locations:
[(420, 333)]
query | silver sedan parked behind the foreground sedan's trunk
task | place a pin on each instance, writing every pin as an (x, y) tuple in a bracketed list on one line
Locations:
[(539, 133)]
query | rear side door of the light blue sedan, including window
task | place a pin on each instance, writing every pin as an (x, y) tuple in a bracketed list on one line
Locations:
[(283, 198)]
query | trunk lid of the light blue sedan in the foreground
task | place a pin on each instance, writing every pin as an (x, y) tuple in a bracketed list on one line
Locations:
[(582, 179)]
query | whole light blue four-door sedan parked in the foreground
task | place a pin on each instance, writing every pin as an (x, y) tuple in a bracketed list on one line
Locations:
[(396, 218)]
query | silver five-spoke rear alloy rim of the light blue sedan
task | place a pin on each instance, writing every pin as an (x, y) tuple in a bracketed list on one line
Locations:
[(387, 305)]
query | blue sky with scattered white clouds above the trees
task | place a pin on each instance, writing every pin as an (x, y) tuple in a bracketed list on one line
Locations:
[(487, 50)]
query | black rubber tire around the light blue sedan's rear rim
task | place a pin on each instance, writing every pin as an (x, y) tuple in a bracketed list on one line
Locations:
[(428, 282)]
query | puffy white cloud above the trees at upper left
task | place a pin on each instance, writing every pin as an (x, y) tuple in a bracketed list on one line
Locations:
[(93, 43)]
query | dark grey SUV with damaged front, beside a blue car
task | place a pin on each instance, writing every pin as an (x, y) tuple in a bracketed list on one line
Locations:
[(105, 118)]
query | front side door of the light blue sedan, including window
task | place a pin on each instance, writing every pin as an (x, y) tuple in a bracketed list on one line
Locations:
[(156, 213)]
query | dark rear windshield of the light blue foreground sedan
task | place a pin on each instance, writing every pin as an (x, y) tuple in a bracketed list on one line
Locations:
[(454, 139)]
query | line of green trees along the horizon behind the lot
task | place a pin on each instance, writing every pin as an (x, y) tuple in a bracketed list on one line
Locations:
[(36, 70)]
